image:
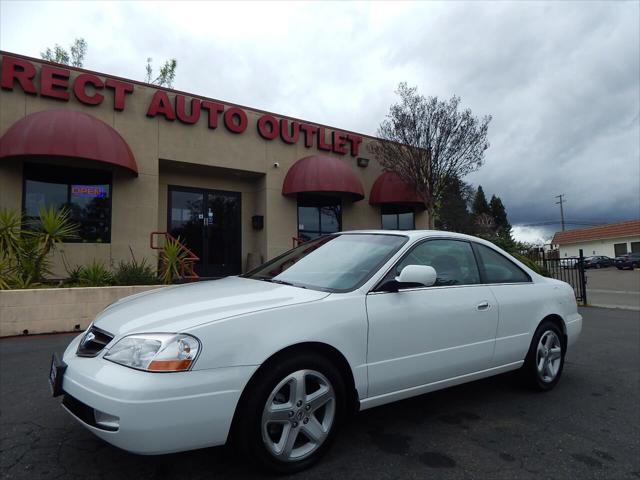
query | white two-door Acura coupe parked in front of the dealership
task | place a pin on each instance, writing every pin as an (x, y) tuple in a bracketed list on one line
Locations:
[(272, 361)]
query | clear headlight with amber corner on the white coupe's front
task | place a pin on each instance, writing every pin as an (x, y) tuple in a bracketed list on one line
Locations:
[(156, 352)]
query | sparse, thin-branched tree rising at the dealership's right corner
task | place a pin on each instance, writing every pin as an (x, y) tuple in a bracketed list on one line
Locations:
[(426, 141)]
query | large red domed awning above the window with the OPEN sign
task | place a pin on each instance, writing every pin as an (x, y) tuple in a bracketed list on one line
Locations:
[(67, 133)]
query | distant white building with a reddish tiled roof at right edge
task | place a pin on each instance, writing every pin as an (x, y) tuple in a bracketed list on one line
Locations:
[(610, 240)]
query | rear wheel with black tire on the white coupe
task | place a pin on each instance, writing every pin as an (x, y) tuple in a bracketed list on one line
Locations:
[(543, 365)]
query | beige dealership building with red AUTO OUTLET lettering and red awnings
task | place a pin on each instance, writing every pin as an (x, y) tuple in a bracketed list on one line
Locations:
[(237, 185)]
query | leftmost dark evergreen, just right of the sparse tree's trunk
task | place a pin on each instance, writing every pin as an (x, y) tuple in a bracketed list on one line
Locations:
[(453, 214)]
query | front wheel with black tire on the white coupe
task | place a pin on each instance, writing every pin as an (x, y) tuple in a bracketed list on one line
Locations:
[(263, 433)]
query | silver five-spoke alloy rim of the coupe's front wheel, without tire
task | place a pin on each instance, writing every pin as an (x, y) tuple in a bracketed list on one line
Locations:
[(298, 415)]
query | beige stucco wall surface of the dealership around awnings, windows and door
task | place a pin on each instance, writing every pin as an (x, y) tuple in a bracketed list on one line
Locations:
[(139, 203)]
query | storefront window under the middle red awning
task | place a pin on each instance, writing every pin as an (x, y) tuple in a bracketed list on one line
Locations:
[(318, 215)]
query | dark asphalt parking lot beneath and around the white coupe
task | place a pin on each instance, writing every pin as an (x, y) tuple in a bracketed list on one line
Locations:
[(588, 427)]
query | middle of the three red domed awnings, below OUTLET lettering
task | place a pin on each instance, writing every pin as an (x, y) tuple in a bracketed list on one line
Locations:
[(319, 174)]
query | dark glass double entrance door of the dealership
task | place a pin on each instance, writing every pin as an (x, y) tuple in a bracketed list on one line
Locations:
[(208, 223)]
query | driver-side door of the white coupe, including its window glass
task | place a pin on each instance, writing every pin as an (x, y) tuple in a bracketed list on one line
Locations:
[(423, 335)]
